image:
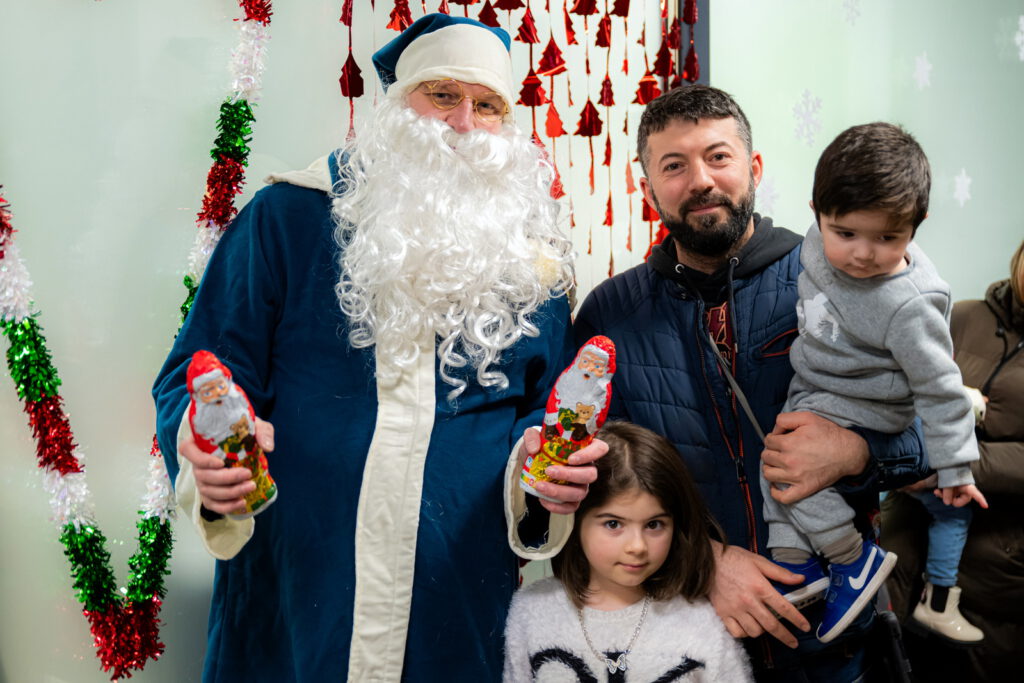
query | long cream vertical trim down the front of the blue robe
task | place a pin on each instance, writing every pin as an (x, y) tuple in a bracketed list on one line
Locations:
[(389, 520)]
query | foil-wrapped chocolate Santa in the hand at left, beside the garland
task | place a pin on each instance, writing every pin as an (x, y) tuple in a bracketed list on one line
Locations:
[(224, 423)]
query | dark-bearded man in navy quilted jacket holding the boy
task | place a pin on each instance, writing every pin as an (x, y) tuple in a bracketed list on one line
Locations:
[(703, 333)]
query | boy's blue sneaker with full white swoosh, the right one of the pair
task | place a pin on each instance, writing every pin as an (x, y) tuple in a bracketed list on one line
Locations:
[(852, 587)]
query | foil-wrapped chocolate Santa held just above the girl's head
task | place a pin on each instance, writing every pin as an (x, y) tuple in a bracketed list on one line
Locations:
[(576, 410)]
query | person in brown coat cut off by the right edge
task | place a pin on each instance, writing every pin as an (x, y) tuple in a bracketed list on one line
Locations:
[(989, 338)]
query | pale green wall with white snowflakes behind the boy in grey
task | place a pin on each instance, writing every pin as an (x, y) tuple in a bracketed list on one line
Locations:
[(860, 59)]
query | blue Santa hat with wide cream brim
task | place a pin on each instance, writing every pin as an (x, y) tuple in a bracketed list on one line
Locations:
[(442, 47)]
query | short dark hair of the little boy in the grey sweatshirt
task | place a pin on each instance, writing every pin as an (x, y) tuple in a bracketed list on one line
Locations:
[(875, 166)]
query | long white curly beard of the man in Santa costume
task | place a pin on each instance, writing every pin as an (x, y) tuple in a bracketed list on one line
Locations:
[(446, 236)]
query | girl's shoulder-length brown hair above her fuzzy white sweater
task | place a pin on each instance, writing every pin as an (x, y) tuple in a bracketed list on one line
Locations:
[(641, 460)]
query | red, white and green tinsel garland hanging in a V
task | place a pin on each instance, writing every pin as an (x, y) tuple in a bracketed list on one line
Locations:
[(124, 624)]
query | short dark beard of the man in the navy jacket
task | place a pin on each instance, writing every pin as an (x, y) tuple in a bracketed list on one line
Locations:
[(712, 238)]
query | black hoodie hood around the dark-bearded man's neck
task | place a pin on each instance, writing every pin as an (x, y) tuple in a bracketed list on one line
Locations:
[(765, 247)]
